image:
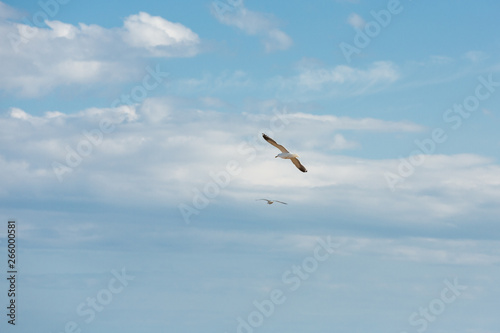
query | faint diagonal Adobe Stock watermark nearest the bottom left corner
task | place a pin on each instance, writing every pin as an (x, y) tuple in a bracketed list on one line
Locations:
[(87, 310)]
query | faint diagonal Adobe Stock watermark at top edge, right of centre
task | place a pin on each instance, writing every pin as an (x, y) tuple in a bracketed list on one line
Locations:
[(373, 28)]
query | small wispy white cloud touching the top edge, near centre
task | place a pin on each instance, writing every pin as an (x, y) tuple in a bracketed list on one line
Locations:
[(253, 23)]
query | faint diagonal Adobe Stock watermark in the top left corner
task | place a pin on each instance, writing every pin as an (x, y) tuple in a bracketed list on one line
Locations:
[(48, 9)]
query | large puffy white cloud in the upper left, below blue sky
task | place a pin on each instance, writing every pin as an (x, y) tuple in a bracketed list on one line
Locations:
[(35, 60)]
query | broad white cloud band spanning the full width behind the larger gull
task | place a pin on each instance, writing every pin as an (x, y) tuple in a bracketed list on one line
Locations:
[(144, 139)]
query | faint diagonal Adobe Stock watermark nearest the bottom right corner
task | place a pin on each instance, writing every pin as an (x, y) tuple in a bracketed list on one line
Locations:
[(420, 319)]
